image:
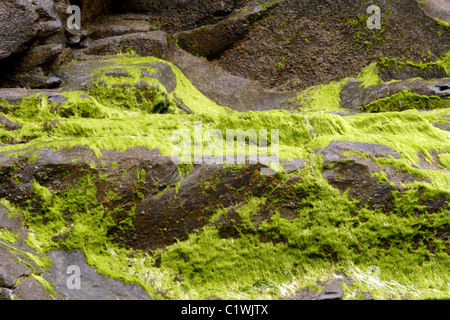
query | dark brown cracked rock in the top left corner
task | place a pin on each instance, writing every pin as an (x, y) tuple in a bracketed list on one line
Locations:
[(32, 42)]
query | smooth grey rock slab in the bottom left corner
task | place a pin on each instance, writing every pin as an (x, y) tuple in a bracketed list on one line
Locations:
[(18, 271)]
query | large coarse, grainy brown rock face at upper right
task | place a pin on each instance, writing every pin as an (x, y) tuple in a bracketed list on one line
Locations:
[(284, 53)]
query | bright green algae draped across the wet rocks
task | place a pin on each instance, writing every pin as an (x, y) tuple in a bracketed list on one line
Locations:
[(328, 235)]
